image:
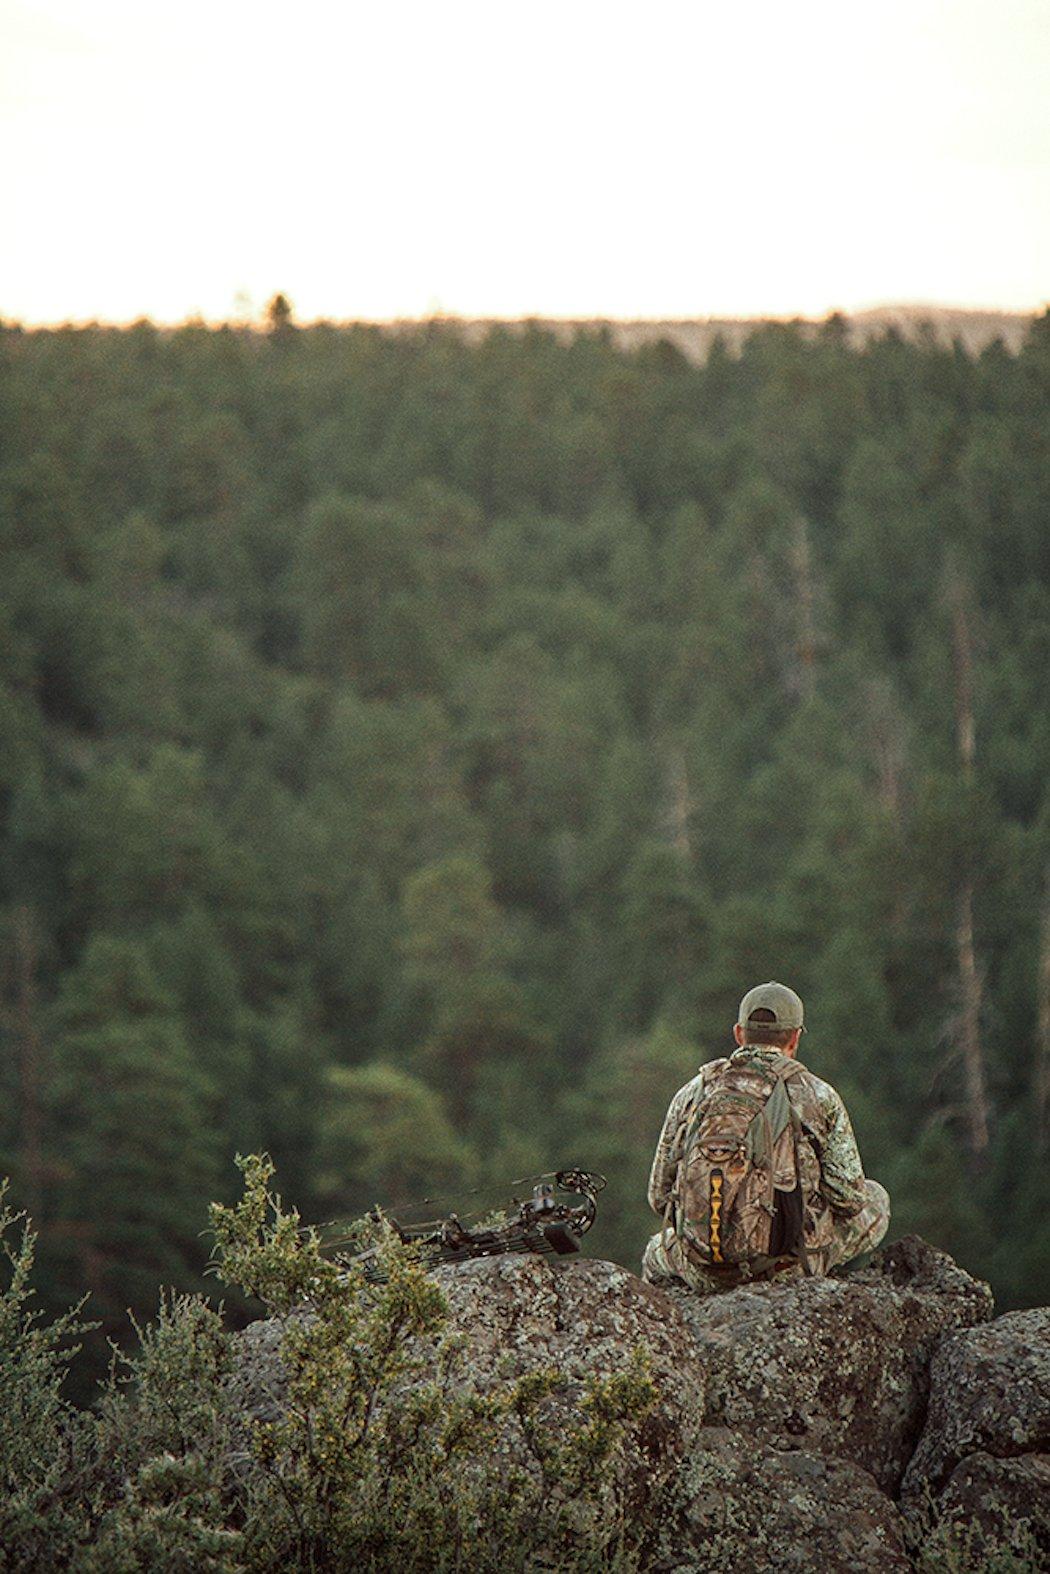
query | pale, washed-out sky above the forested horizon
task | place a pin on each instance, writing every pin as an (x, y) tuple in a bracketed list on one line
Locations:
[(394, 158)]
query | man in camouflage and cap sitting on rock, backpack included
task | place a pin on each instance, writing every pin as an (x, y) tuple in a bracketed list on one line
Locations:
[(756, 1172)]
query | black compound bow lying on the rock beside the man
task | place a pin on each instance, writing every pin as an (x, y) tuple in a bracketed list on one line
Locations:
[(541, 1224)]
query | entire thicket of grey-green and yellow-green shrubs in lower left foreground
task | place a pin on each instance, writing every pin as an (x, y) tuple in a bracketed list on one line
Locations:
[(374, 1455)]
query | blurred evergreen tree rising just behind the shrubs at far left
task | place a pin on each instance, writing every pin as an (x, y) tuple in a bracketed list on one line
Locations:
[(130, 1150)]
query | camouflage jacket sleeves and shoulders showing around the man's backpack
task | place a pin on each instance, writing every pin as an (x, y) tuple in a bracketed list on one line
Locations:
[(841, 1170)]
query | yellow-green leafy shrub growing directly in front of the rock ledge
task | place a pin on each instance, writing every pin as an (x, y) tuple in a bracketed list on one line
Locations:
[(380, 1458)]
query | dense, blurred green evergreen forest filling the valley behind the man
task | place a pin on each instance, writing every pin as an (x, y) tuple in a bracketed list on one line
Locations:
[(413, 742)]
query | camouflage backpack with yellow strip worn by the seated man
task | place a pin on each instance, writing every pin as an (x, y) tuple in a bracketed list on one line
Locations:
[(749, 1183)]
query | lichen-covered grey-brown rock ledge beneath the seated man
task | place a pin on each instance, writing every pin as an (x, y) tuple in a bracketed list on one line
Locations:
[(843, 1424)]
